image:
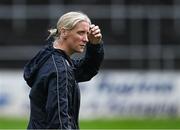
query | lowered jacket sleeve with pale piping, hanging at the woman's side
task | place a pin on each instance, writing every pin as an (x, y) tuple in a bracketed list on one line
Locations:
[(57, 99)]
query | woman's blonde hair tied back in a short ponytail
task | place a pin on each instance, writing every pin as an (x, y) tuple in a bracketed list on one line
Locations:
[(68, 21)]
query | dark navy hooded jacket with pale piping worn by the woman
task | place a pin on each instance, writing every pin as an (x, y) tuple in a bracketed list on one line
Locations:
[(53, 78)]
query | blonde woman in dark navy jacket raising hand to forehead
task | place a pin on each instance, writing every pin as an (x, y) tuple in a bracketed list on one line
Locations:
[(53, 76)]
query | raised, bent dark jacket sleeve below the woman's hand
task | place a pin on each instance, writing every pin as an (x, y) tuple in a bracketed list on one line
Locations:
[(88, 66)]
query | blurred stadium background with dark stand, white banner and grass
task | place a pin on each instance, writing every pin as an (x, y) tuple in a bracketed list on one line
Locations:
[(139, 82)]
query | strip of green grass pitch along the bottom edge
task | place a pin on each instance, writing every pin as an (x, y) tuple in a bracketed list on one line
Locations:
[(167, 123)]
